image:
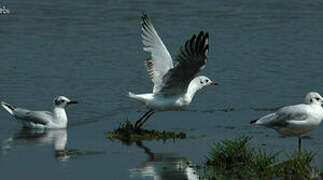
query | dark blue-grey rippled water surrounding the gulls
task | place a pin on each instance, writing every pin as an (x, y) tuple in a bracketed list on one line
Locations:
[(263, 54)]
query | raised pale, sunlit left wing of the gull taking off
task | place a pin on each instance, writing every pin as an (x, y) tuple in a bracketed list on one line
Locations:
[(160, 61)]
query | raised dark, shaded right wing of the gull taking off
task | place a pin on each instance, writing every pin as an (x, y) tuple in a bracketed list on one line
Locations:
[(191, 60)]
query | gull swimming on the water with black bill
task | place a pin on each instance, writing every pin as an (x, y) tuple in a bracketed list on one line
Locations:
[(42, 119)]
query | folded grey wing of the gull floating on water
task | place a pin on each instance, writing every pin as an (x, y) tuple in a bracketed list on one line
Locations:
[(37, 117)]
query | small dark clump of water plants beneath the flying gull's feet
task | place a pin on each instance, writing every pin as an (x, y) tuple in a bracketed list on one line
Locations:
[(127, 133)]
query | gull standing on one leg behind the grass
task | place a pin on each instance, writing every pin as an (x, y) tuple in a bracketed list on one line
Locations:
[(295, 120)]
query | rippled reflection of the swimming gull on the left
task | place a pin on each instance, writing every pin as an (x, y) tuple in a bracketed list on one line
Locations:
[(57, 137)]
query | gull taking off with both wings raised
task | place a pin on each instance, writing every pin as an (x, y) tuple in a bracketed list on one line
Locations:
[(174, 86)]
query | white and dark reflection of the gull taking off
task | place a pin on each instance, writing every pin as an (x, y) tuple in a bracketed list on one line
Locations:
[(163, 166)]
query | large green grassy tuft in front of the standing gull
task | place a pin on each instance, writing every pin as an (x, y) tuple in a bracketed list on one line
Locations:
[(238, 159)]
